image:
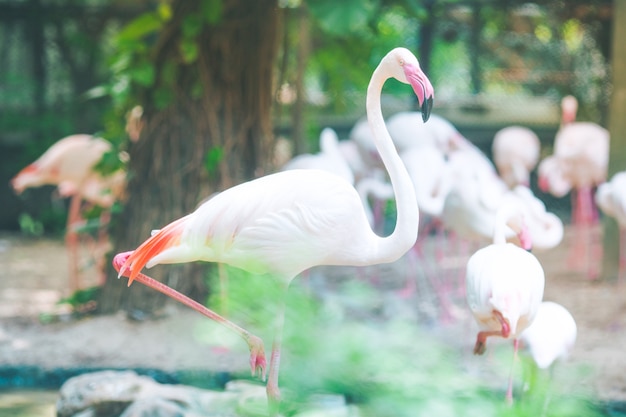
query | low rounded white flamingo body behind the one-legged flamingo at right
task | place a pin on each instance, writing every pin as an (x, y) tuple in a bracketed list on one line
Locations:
[(551, 336)]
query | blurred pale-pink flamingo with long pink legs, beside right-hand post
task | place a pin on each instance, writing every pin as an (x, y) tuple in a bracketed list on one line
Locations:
[(580, 160)]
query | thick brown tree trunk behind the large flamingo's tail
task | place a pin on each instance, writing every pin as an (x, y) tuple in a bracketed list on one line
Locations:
[(218, 109)]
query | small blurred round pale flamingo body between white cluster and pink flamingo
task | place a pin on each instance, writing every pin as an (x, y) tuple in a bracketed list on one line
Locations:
[(515, 153)]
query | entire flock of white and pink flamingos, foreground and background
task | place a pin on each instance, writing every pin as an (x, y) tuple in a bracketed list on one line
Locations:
[(327, 209)]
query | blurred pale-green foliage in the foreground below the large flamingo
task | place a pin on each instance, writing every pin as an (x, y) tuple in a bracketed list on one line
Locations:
[(345, 342)]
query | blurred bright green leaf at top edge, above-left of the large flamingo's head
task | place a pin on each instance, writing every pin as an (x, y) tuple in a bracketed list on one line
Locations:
[(342, 17)]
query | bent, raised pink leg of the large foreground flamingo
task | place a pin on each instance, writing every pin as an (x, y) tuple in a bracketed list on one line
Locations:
[(255, 344)]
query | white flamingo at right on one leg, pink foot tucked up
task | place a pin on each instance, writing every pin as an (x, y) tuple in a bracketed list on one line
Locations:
[(505, 285)]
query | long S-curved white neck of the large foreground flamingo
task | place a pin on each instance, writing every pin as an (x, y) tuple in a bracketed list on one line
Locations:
[(404, 234)]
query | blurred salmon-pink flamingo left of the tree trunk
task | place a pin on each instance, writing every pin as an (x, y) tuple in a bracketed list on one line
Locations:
[(69, 164)]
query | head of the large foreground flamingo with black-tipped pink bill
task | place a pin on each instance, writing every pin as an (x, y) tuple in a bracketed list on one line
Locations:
[(412, 74)]
